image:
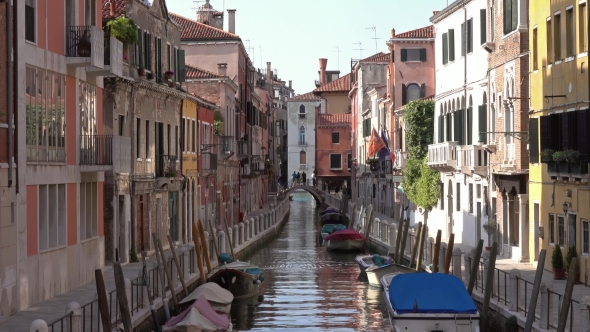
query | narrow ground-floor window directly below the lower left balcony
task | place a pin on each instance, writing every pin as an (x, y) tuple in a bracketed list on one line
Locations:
[(88, 210)]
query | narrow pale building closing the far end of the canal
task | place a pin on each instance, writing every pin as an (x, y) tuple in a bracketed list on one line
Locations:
[(301, 111)]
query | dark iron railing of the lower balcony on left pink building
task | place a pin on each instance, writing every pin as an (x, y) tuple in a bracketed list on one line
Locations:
[(96, 150)]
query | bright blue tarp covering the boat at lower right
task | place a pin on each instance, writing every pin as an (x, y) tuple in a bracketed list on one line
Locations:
[(429, 293)]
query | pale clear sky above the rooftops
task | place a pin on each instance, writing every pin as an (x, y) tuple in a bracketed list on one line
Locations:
[(294, 34)]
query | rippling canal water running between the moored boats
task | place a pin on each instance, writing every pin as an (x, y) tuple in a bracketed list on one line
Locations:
[(306, 287)]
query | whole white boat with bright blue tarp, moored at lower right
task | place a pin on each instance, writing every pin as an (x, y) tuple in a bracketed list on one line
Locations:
[(420, 301)]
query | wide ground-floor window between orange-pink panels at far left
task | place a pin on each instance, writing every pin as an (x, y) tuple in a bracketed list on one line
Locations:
[(52, 216)]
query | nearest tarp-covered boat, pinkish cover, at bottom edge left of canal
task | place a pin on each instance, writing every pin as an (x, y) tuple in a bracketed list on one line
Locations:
[(200, 316)]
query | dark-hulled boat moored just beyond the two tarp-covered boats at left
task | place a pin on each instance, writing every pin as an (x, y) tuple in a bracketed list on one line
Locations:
[(242, 279)]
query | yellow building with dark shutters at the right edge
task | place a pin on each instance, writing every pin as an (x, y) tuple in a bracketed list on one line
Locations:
[(559, 144)]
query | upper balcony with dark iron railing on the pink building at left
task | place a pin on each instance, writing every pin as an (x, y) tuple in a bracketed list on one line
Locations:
[(85, 46)]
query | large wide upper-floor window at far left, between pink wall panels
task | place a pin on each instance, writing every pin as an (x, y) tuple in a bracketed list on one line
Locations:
[(45, 115)]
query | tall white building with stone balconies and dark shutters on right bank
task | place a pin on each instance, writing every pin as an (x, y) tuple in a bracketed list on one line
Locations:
[(461, 85)]
